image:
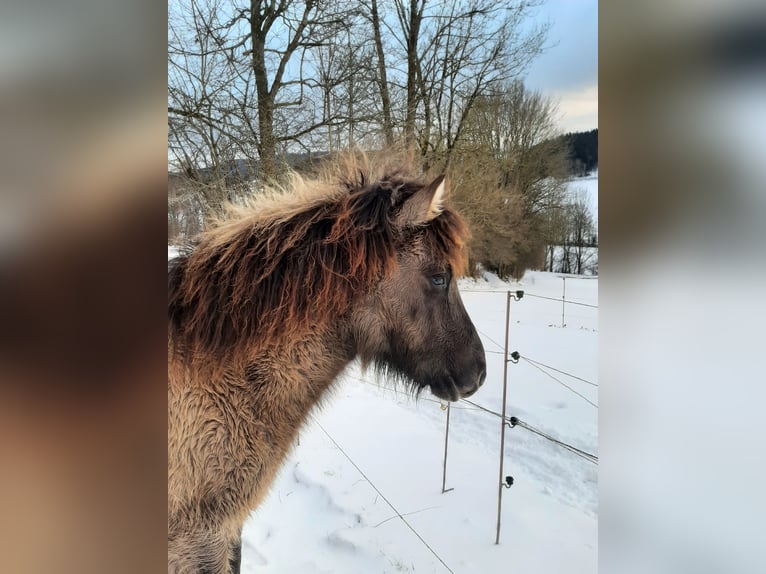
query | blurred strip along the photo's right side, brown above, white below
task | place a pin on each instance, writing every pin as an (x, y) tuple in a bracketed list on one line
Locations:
[(682, 204)]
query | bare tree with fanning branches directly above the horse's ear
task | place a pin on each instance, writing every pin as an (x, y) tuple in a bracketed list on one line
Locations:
[(454, 52)]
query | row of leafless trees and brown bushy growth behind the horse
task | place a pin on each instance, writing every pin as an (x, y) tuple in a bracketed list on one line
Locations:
[(252, 85)]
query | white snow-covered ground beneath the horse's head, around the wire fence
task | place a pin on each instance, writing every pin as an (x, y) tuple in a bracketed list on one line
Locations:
[(324, 515)]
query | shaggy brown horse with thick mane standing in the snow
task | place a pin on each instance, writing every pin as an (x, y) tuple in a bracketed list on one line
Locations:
[(271, 305)]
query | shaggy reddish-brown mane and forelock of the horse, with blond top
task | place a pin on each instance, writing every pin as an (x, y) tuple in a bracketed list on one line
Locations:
[(294, 259)]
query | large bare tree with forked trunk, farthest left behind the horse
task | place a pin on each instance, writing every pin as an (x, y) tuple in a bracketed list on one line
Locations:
[(236, 71)]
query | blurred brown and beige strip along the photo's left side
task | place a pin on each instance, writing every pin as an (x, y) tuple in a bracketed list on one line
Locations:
[(82, 190)]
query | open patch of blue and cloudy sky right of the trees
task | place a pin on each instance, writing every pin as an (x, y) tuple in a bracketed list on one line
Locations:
[(568, 69)]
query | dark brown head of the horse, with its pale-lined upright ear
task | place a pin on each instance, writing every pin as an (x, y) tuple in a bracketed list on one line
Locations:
[(413, 324)]
